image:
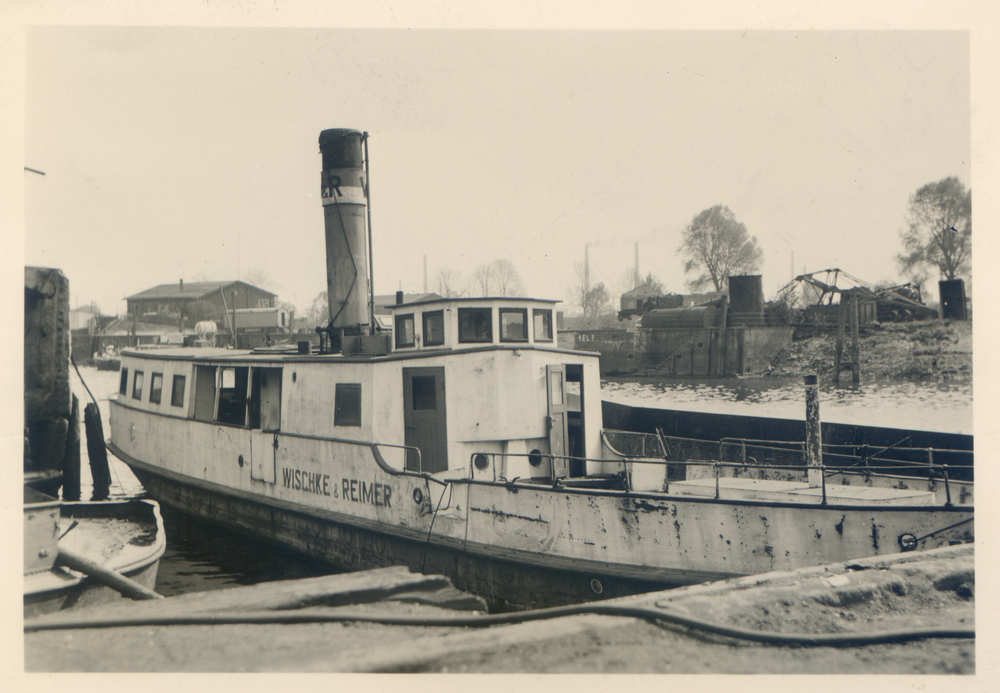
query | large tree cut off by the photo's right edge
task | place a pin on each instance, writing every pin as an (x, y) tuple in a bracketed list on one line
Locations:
[(939, 231)]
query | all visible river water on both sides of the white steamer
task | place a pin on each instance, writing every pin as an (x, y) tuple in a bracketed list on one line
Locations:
[(203, 556)]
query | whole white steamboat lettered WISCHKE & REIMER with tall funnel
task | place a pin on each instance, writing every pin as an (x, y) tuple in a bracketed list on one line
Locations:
[(466, 442)]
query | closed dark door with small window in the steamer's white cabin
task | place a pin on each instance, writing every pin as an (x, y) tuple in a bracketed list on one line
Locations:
[(424, 419)]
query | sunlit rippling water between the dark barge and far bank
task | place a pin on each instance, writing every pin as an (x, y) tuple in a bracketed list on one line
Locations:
[(943, 407)]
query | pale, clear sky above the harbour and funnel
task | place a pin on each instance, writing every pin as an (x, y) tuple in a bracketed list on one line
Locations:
[(191, 153)]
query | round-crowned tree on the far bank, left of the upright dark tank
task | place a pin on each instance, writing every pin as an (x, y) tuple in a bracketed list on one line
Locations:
[(718, 246)]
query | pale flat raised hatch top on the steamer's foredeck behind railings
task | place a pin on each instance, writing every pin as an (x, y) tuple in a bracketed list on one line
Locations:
[(731, 488)]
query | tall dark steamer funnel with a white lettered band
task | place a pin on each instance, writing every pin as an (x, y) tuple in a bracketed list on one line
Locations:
[(344, 194)]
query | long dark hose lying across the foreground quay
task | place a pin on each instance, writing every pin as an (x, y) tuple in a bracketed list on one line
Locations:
[(656, 616)]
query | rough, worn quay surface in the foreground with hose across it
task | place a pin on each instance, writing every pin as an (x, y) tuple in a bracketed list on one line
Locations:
[(293, 630)]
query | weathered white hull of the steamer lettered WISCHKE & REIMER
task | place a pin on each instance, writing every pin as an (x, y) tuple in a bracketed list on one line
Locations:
[(329, 496)]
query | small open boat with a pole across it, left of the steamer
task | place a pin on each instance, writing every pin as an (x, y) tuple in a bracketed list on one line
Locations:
[(125, 537)]
